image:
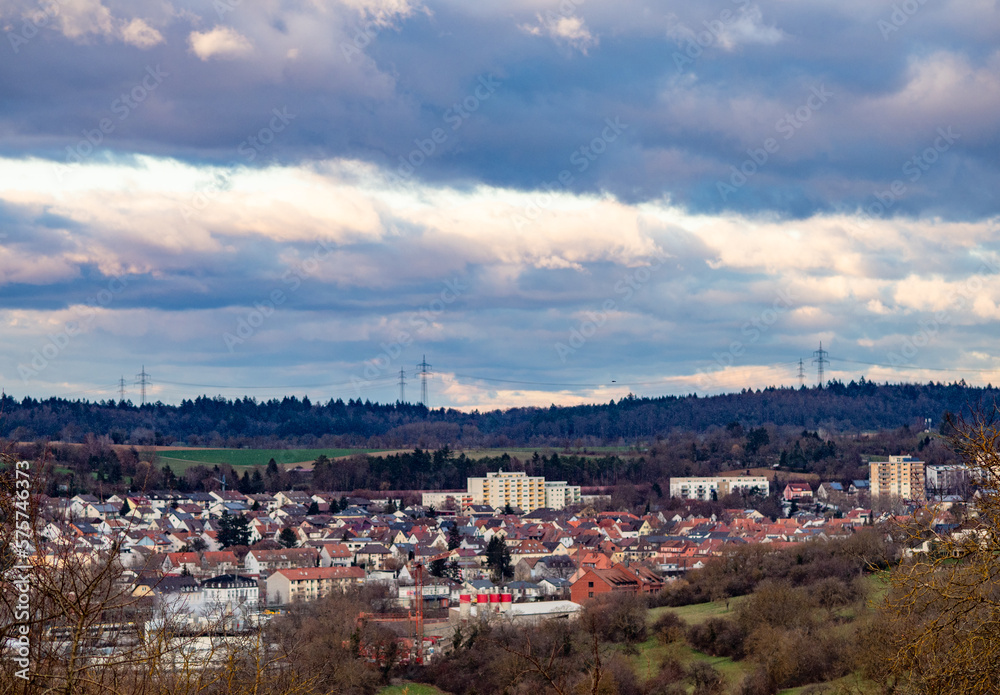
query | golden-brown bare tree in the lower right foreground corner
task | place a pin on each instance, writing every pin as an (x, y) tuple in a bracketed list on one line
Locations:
[(936, 632)]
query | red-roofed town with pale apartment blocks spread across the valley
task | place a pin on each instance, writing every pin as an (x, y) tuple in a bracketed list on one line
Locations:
[(511, 543)]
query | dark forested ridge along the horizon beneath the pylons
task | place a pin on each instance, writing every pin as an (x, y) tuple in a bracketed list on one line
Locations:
[(204, 421)]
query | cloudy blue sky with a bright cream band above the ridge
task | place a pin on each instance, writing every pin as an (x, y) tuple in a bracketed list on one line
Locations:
[(545, 202)]
